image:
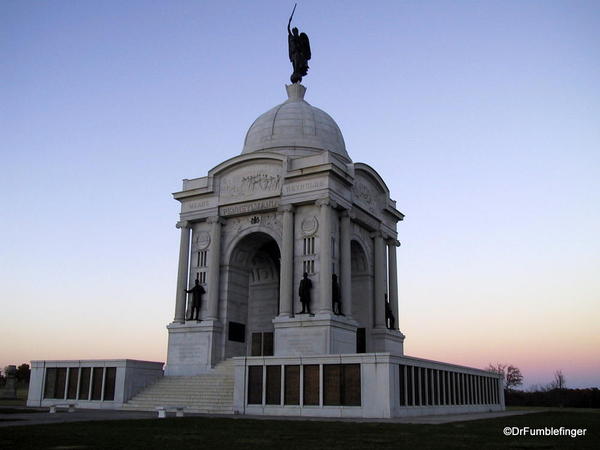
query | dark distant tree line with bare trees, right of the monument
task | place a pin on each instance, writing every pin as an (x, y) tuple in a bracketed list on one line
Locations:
[(555, 393)]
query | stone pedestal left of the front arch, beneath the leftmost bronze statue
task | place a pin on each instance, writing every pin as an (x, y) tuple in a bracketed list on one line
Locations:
[(193, 347)]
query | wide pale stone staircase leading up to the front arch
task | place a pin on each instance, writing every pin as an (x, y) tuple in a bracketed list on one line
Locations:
[(210, 393)]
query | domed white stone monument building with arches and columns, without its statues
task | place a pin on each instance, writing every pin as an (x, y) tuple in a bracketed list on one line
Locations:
[(292, 203)]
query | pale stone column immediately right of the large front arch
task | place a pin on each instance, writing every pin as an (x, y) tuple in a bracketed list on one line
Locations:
[(286, 283)]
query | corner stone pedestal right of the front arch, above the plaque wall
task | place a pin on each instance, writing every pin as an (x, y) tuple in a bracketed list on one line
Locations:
[(321, 334)]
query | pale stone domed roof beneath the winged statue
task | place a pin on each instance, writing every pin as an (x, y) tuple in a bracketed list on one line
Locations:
[(295, 123)]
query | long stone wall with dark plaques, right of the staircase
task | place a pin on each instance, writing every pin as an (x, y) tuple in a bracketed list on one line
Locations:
[(362, 385)]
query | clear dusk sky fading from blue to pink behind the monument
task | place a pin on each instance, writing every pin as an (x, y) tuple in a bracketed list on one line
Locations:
[(483, 117)]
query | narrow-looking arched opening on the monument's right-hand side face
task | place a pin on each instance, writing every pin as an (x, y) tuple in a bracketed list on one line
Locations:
[(362, 304)]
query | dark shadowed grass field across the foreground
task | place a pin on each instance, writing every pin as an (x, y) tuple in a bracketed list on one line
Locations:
[(211, 433)]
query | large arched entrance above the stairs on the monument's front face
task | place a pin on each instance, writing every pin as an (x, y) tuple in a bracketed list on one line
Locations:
[(252, 296)]
